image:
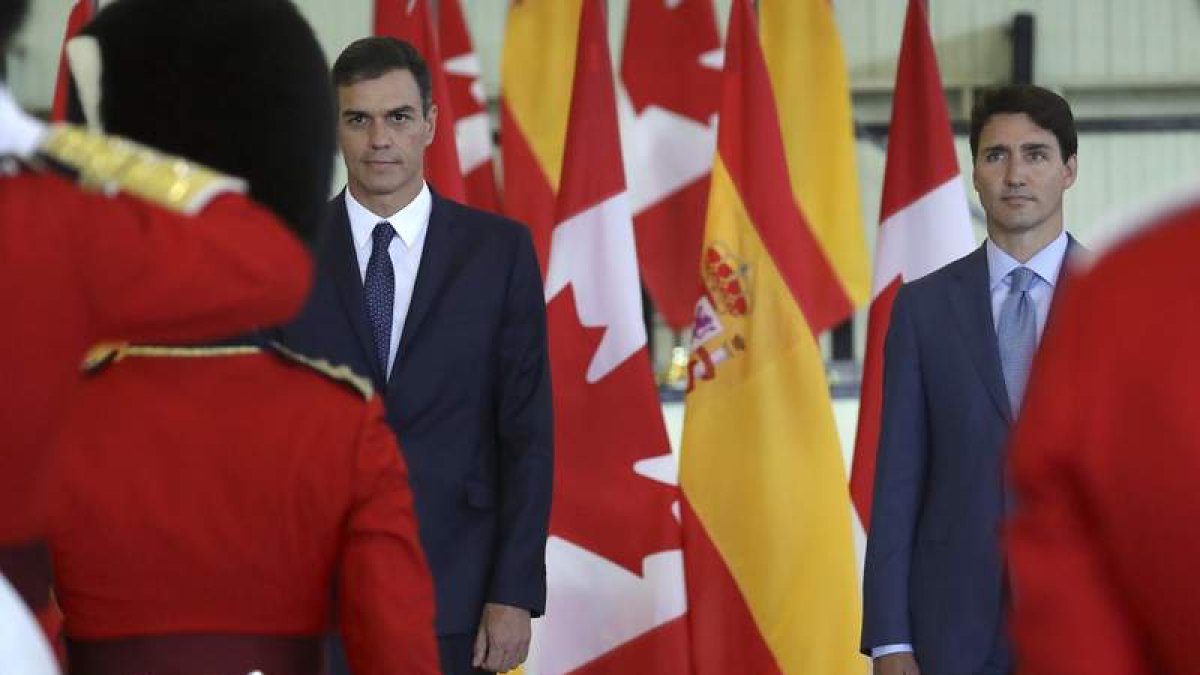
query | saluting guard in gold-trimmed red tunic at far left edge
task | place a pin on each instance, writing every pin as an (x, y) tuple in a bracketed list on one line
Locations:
[(103, 240)]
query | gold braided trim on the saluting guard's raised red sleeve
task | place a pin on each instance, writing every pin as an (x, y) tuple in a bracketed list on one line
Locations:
[(111, 165)]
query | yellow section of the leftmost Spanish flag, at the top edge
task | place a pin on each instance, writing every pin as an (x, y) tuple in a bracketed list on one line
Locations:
[(537, 73)]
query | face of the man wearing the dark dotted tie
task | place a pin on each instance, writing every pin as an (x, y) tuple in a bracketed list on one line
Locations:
[(383, 135)]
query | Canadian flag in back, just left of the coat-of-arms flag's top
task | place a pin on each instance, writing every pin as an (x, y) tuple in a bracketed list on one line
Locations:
[(671, 79)]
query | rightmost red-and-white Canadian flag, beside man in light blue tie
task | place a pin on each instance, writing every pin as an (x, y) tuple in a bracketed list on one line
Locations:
[(925, 223)]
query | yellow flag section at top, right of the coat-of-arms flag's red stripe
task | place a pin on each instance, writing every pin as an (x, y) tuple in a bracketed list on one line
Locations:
[(808, 73)]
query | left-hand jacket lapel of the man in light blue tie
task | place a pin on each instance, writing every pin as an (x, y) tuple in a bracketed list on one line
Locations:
[(971, 302)]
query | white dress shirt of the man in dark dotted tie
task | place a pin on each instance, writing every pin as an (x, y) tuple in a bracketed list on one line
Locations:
[(411, 224)]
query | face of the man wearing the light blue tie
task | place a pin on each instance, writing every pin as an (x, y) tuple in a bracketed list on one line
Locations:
[(1021, 176)]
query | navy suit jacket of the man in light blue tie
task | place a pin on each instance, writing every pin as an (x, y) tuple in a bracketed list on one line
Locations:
[(934, 575)]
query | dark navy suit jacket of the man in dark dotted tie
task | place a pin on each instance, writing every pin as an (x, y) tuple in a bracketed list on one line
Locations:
[(469, 398)]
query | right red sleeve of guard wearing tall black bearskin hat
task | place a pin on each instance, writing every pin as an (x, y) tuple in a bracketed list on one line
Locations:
[(385, 586)]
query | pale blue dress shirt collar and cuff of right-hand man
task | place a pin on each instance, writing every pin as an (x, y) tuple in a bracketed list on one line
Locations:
[(1046, 265)]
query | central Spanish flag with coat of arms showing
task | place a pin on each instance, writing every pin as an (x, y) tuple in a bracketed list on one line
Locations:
[(769, 551)]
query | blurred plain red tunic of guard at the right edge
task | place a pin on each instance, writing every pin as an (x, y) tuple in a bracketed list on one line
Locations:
[(1106, 463)]
